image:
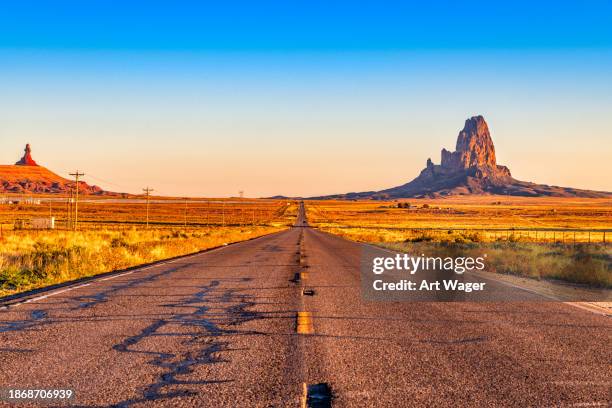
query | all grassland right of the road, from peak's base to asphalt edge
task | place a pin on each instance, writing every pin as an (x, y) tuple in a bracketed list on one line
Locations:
[(459, 226)]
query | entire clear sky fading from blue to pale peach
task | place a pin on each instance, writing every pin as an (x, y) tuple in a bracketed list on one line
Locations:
[(303, 98)]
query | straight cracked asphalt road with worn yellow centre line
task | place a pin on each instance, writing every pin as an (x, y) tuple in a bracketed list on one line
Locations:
[(220, 329)]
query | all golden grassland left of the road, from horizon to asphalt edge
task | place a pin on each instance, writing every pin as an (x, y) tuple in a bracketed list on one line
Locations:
[(112, 235)]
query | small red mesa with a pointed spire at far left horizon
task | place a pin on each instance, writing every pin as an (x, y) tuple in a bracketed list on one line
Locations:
[(26, 176)]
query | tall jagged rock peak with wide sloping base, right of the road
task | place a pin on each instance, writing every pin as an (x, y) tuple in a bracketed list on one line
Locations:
[(471, 169)]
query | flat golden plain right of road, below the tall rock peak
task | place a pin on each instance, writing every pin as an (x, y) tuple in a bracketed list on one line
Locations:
[(469, 215)]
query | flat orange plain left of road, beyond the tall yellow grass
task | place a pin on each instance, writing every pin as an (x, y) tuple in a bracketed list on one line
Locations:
[(117, 214)]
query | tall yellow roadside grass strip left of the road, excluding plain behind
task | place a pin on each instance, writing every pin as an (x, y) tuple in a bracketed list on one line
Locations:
[(33, 259)]
